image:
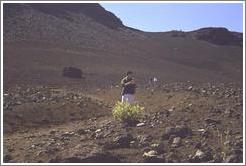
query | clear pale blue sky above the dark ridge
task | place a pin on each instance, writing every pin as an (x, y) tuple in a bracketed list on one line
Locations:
[(159, 17)]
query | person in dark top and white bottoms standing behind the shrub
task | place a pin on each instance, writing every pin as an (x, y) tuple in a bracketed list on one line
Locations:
[(128, 88)]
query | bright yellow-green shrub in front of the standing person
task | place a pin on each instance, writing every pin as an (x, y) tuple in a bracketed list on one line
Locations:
[(126, 112)]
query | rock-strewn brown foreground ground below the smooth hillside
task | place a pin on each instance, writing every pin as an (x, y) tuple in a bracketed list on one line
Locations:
[(182, 122)]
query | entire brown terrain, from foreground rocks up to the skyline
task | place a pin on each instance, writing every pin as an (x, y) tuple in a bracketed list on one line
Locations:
[(194, 114)]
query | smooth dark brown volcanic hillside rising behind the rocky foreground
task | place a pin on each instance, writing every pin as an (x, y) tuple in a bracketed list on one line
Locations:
[(41, 39)]
